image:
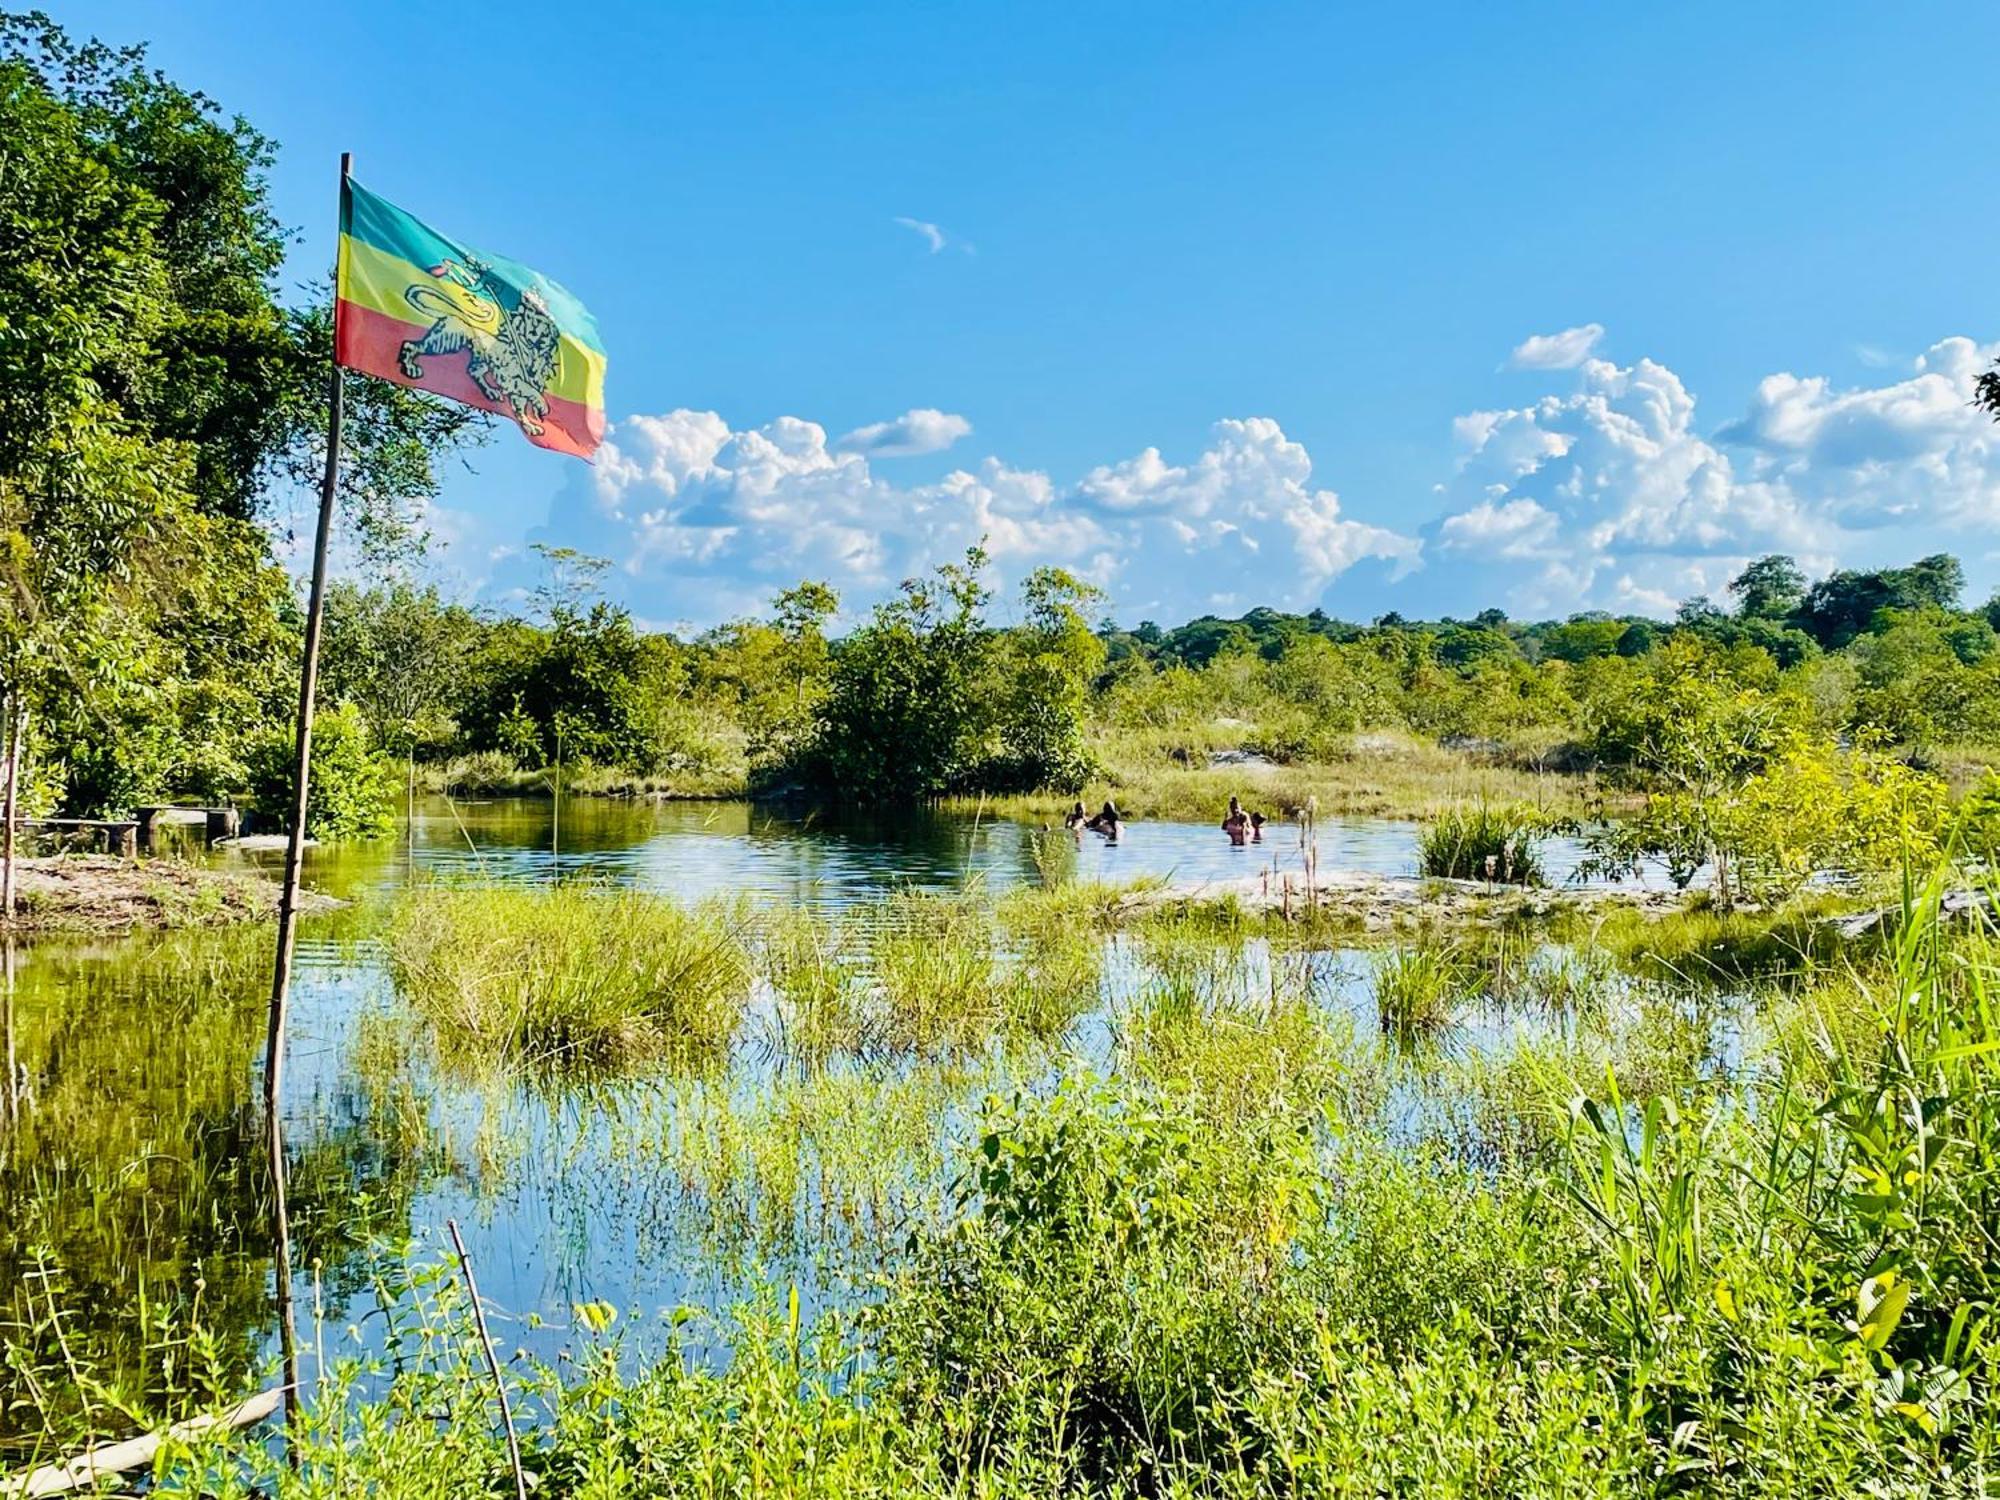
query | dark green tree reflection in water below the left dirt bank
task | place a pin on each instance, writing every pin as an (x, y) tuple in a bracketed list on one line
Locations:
[(135, 1193)]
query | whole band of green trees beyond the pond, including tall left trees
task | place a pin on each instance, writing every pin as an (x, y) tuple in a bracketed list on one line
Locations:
[(163, 395)]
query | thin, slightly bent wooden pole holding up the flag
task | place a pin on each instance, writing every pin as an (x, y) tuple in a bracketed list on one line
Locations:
[(295, 855)]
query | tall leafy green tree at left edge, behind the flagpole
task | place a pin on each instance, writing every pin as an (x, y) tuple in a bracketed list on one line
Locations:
[(153, 397)]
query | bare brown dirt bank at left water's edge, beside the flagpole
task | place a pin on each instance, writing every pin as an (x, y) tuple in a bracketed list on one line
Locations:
[(93, 893)]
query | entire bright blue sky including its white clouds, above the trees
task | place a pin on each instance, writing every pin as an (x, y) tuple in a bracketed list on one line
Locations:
[(1391, 307)]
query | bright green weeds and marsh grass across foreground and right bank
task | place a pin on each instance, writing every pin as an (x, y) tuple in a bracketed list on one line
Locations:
[(1247, 1251)]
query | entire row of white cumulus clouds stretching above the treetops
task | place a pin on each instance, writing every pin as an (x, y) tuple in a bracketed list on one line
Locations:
[(1607, 491)]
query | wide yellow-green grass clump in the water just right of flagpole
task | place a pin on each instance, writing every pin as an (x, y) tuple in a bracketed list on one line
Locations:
[(573, 975)]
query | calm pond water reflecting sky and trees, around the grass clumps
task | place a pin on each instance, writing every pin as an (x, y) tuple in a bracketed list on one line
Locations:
[(135, 1167)]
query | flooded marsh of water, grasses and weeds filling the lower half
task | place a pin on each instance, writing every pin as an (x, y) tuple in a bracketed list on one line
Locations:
[(797, 1161)]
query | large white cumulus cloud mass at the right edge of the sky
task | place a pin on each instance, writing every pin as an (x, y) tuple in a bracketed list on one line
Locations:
[(1613, 495)]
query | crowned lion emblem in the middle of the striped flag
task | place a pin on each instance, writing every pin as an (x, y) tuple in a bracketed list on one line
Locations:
[(513, 357)]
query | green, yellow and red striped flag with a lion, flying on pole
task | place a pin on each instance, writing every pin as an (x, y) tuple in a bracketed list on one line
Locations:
[(425, 311)]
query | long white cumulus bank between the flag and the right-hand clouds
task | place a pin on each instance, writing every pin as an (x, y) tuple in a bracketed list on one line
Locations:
[(707, 521)]
